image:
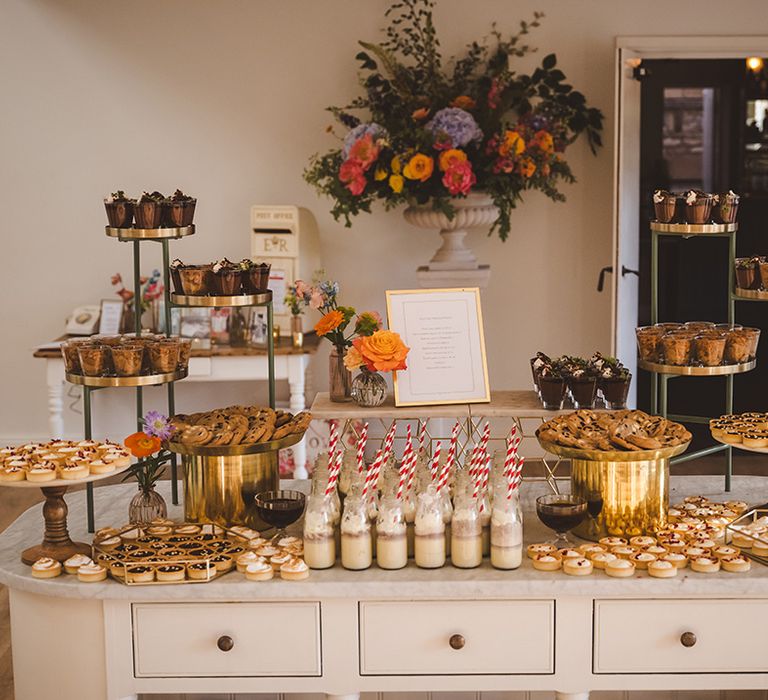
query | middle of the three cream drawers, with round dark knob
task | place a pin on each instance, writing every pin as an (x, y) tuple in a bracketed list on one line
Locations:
[(457, 637)]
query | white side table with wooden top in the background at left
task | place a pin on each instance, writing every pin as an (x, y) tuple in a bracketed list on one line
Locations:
[(220, 363)]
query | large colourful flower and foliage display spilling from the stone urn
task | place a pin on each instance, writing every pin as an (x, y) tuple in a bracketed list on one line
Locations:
[(433, 130)]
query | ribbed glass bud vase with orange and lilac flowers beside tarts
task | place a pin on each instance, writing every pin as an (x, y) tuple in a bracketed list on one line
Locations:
[(147, 504)]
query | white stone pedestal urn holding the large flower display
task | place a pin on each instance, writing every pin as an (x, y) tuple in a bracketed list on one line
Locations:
[(454, 261)]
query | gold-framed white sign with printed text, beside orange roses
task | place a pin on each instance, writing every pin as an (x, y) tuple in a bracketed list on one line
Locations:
[(444, 330)]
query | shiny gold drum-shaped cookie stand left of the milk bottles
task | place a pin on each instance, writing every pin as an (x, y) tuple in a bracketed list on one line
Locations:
[(220, 482)]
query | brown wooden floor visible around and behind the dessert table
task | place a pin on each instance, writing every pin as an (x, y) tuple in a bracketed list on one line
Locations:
[(13, 502)]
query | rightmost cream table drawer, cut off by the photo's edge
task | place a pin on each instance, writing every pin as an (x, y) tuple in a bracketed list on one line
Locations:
[(680, 636)]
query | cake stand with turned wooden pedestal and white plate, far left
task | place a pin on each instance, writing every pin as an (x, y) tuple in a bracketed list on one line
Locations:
[(57, 543)]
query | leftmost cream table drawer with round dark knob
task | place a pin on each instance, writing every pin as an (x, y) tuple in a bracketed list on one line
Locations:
[(268, 639)]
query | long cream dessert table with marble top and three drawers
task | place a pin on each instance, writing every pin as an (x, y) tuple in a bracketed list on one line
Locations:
[(343, 632)]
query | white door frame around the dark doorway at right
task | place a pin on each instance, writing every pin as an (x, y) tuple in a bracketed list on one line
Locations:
[(626, 161)]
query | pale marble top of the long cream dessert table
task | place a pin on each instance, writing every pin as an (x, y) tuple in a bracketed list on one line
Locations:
[(374, 583)]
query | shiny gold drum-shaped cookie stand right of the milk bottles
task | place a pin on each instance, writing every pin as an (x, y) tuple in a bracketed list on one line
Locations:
[(633, 486)]
